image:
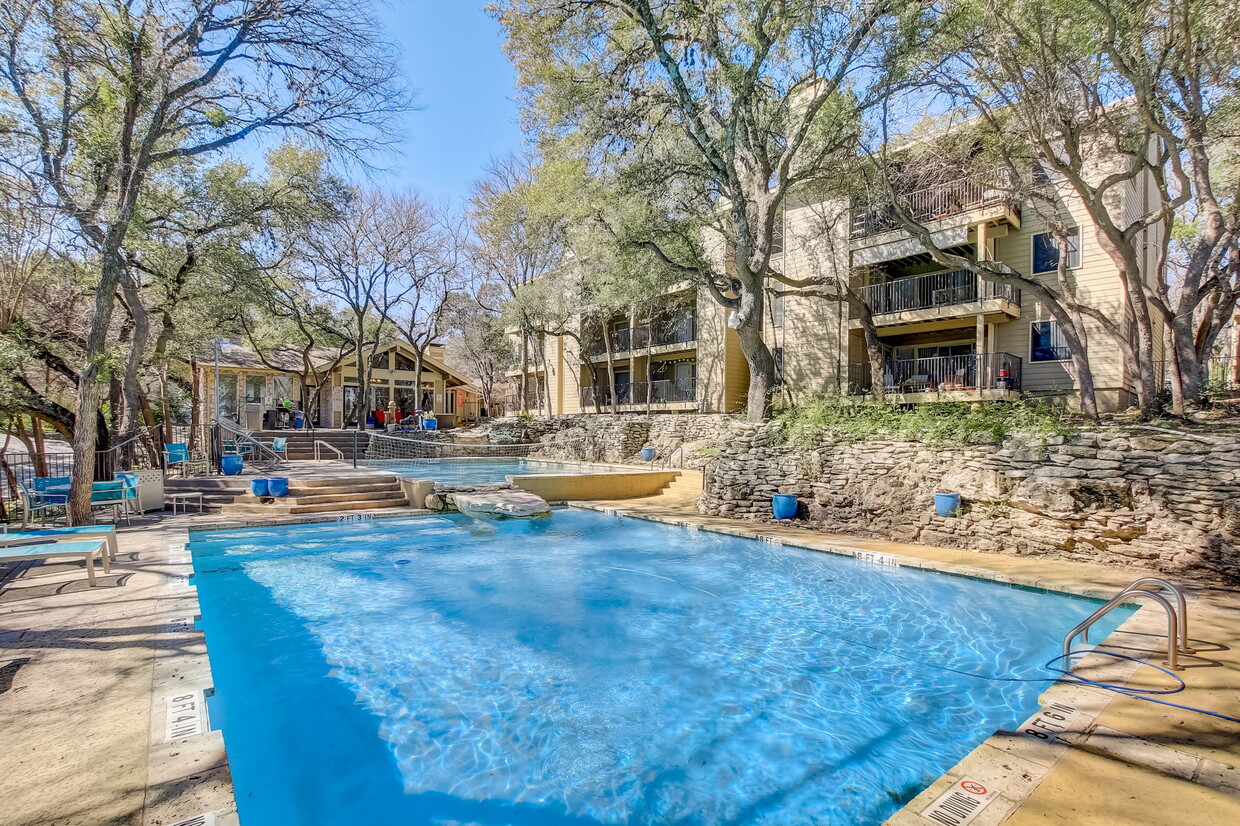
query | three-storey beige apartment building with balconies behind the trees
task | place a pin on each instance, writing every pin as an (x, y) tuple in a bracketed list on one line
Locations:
[(947, 335)]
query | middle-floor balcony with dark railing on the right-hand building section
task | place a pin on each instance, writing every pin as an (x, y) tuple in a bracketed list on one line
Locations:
[(939, 296)]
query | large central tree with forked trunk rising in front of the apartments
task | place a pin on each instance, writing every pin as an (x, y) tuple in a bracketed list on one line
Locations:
[(712, 113)]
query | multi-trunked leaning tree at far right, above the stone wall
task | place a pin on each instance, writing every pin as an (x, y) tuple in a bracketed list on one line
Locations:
[(1130, 107)]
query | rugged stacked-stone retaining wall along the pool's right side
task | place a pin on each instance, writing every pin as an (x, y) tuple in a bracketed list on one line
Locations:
[(1162, 500)]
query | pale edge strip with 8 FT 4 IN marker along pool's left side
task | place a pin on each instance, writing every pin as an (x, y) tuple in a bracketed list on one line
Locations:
[(188, 766)]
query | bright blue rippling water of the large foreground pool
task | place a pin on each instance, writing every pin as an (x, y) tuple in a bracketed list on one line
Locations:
[(596, 670)]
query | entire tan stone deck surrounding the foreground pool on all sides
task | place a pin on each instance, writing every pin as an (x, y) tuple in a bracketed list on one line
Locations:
[(87, 678)]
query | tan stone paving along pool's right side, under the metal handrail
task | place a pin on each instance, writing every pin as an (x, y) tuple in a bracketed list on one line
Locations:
[(1108, 760)]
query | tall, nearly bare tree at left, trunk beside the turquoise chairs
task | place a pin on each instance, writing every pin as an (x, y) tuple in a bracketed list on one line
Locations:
[(102, 94)]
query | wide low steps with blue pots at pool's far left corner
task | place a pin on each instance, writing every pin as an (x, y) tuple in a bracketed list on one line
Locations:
[(232, 495)]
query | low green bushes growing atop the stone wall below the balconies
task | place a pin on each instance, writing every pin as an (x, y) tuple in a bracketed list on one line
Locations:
[(933, 424)]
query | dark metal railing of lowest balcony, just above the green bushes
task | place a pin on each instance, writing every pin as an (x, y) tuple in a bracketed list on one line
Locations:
[(942, 374)]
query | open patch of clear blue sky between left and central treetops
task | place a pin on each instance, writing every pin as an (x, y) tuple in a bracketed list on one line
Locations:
[(453, 58)]
